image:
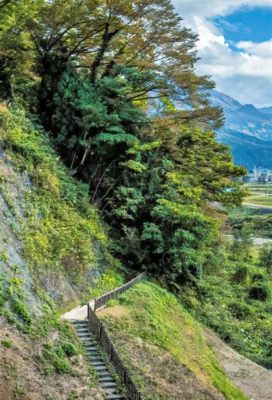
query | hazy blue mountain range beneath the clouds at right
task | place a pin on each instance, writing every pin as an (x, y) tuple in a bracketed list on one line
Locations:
[(247, 130)]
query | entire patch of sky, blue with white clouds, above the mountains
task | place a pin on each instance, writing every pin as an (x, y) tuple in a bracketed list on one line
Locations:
[(235, 45)]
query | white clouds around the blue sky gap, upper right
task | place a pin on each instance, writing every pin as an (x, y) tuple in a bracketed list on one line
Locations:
[(242, 70)]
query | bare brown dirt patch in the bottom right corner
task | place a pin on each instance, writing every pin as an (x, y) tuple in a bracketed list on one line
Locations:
[(251, 378)]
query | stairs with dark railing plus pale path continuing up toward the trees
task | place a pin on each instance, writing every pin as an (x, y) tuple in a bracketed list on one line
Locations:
[(102, 356)]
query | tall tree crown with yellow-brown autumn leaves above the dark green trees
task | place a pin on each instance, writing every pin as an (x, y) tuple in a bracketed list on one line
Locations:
[(101, 35)]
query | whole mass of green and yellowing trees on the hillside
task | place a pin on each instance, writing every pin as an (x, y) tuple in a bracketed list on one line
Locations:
[(113, 83)]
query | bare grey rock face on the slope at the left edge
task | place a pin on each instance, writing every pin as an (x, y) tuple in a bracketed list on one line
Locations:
[(13, 268)]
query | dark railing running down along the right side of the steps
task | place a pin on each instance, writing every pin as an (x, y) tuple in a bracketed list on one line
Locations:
[(98, 330)]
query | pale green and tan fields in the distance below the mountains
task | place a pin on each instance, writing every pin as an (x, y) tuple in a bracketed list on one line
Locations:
[(260, 194)]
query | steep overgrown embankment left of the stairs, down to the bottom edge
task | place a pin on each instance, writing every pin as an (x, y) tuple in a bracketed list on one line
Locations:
[(50, 245)]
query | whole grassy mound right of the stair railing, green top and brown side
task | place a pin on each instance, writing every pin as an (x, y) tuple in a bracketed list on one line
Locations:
[(153, 317)]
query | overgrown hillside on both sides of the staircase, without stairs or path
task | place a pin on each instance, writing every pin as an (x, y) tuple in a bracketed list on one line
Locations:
[(53, 249)]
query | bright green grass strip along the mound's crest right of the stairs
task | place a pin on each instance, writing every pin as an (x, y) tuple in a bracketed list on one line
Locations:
[(156, 317)]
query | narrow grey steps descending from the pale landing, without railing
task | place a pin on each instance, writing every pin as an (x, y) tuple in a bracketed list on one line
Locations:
[(97, 360)]
